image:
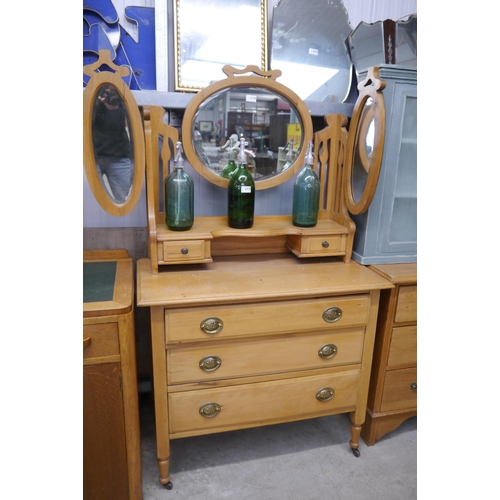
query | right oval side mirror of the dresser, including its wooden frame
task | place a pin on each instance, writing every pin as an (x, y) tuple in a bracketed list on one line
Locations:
[(365, 144)]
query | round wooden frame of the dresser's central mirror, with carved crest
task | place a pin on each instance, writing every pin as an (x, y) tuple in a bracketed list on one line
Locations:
[(267, 79)]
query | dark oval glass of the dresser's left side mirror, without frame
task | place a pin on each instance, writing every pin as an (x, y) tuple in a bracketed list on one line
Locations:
[(113, 147)]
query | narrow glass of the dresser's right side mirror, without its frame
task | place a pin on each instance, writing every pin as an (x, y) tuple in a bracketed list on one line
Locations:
[(365, 140)]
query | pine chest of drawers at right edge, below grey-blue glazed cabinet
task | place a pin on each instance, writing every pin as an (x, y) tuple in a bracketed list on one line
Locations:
[(393, 386)]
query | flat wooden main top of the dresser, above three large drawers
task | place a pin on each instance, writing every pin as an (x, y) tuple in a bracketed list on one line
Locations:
[(246, 278)]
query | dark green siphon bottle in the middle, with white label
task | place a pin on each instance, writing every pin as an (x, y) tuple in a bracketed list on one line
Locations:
[(241, 193)]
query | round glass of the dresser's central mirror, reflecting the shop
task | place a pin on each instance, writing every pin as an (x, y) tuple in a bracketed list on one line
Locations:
[(267, 121)]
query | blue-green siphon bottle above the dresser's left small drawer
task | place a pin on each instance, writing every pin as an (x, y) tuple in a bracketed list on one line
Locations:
[(179, 196)]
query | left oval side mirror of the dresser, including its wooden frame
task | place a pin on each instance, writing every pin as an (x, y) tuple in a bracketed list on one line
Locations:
[(113, 137)]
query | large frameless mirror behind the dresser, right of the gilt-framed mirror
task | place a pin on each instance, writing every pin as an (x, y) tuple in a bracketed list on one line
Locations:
[(307, 45)]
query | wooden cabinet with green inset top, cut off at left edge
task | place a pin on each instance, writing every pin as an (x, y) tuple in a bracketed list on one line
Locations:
[(111, 436)]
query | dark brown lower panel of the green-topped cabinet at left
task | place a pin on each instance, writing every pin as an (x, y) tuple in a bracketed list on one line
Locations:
[(104, 450)]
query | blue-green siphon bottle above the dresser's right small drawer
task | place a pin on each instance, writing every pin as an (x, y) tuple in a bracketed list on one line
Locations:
[(306, 194)]
